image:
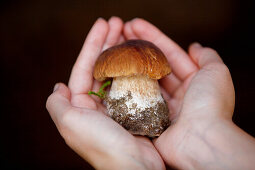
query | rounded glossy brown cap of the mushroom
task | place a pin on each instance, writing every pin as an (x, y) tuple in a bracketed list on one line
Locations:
[(133, 57)]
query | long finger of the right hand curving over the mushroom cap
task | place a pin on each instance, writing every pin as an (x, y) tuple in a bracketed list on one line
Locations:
[(180, 62)]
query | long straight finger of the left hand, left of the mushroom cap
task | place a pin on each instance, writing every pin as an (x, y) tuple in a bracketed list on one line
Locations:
[(81, 77)]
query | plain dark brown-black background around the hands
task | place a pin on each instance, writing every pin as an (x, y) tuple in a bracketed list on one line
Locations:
[(39, 43)]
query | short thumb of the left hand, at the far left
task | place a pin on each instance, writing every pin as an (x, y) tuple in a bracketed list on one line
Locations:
[(58, 102)]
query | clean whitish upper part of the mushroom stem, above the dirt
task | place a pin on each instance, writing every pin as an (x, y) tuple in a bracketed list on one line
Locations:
[(145, 92)]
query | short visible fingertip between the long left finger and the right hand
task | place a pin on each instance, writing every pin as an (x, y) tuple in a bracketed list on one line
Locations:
[(115, 30)]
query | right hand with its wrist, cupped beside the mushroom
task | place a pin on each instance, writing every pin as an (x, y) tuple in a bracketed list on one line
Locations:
[(200, 96)]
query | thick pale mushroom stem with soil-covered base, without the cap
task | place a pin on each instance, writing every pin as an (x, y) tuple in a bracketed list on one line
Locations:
[(136, 103)]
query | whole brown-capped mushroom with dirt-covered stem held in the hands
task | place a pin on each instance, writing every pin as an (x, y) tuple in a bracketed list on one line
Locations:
[(134, 99)]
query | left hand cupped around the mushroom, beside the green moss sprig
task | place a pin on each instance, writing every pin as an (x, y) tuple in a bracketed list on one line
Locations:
[(82, 120)]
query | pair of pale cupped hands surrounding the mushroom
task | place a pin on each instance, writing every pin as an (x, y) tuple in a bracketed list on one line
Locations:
[(199, 93)]
